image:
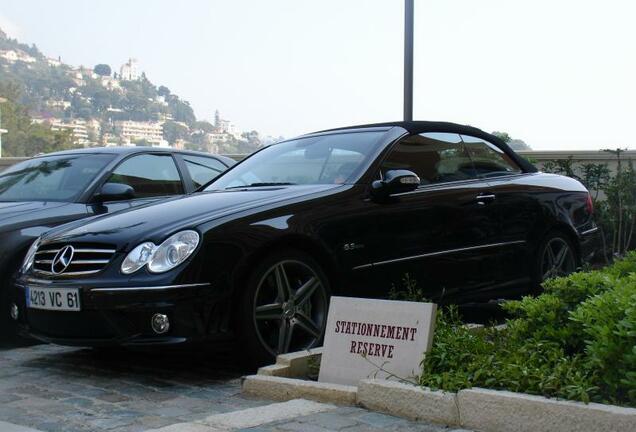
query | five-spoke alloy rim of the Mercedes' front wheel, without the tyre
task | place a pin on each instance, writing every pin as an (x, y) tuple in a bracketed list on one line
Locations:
[(290, 308)]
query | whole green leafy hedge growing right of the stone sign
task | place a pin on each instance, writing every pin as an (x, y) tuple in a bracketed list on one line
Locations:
[(576, 341)]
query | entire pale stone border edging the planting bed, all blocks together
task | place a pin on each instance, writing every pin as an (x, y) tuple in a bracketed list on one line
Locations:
[(478, 409)]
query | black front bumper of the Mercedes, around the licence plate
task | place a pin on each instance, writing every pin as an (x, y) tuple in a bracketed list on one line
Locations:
[(122, 315)]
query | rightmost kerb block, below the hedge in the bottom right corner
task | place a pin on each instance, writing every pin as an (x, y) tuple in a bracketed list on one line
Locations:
[(502, 411)]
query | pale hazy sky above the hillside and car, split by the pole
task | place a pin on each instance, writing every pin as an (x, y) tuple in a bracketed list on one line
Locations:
[(559, 74)]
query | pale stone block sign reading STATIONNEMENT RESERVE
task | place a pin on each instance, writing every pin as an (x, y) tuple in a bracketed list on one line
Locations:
[(375, 339)]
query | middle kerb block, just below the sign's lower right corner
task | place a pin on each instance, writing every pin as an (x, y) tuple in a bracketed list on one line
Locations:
[(409, 401)]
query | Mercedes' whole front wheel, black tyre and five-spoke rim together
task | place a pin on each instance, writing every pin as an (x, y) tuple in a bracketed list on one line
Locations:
[(284, 306)]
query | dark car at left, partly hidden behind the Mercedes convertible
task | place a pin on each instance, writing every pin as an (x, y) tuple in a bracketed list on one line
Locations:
[(49, 190)]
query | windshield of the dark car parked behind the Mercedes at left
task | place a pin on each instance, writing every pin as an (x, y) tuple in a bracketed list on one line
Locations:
[(51, 178)]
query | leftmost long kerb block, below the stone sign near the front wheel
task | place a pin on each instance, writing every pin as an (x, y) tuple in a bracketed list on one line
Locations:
[(284, 389)]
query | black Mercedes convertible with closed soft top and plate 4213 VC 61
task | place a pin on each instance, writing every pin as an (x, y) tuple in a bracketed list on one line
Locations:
[(256, 256)]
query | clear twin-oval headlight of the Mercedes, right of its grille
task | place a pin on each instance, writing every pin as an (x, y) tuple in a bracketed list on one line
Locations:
[(159, 259)]
